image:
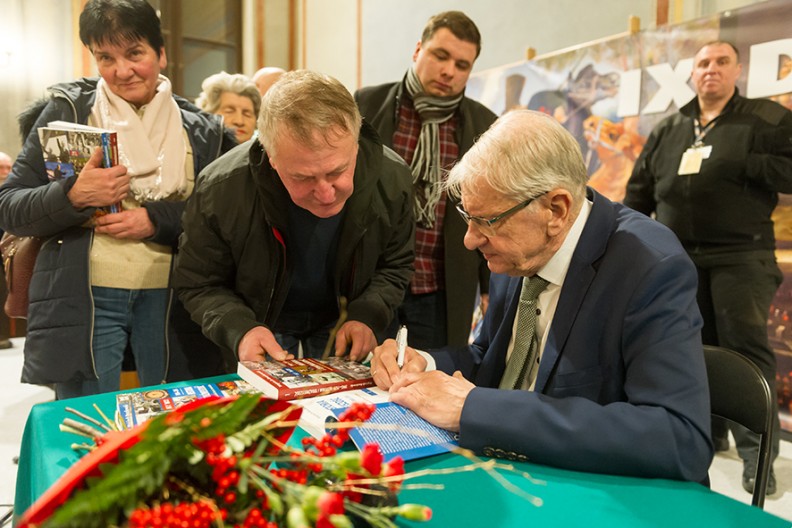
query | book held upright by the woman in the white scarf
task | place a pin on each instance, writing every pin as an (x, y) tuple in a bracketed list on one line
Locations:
[(67, 147)]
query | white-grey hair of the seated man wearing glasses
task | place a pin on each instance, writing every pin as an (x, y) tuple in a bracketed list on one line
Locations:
[(523, 155)]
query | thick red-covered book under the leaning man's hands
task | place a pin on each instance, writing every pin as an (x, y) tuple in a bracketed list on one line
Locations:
[(292, 379)]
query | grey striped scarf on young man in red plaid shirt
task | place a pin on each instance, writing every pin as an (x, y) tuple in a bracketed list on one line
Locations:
[(425, 166)]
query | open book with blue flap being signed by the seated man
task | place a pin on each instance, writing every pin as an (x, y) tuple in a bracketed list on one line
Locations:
[(397, 430)]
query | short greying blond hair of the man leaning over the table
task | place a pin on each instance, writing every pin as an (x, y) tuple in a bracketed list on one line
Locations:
[(303, 103)]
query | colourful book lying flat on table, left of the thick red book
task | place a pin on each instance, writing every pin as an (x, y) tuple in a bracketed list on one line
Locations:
[(134, 408)]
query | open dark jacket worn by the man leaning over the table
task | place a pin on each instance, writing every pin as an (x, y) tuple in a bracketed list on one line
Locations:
[(233, 267)]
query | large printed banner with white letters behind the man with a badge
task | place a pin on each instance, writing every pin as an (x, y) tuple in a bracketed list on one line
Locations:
[(610, 94)]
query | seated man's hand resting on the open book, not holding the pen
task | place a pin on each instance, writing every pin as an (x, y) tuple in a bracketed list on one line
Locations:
[(434, 396)]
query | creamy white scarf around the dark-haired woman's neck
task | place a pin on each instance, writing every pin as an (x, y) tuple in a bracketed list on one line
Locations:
[(151, 147)]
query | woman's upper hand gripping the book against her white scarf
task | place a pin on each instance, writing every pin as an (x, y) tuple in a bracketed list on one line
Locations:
[(98, 187)]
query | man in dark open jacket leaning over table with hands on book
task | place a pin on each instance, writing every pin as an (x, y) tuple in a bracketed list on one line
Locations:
[(308, 225)]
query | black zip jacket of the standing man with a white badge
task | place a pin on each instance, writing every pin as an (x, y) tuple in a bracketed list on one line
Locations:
[(727, 206)]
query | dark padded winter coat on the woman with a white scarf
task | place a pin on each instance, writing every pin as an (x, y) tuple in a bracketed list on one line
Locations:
[(60, 316)]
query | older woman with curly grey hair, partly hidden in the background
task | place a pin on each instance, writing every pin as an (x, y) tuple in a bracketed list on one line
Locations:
[(235, 97)]
